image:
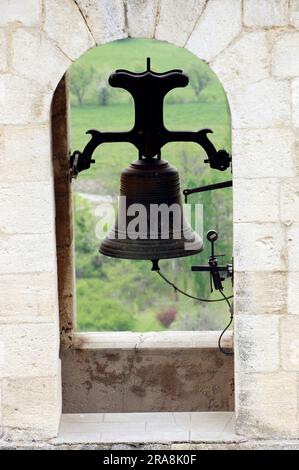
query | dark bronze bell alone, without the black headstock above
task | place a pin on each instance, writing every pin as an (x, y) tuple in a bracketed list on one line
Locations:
[(153, 184)]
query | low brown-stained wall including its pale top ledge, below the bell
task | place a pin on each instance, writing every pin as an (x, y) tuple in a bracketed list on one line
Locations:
[(157, 372)]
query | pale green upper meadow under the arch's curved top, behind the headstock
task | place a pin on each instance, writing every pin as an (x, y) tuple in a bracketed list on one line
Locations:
[(131, 54)]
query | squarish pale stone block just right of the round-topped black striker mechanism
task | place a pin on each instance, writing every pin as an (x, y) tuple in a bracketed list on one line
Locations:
[(259, 247)]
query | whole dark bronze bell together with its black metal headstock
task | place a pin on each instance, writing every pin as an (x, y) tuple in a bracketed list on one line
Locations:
[(150, 181)]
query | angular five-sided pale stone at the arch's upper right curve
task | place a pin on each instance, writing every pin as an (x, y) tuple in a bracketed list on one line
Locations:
[(236, 69)]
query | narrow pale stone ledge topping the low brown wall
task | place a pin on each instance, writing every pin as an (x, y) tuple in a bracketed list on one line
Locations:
[(153, 340)]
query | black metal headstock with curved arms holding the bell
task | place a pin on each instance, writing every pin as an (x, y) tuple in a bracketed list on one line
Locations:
[(149, 134)]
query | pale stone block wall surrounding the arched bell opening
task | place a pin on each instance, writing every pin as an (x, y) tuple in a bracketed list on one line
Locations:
[(252, 45)]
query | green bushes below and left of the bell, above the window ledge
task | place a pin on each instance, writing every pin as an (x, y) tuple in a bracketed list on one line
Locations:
[(146, 303)]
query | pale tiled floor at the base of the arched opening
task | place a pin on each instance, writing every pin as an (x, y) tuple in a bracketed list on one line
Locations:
[(146, 427)]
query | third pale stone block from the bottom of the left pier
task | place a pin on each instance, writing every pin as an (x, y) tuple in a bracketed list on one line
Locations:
[(28, 298)]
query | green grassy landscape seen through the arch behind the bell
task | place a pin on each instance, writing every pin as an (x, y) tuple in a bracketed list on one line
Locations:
[(116, 294)]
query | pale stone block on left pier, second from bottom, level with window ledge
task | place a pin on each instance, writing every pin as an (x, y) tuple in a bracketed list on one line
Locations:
[(29, 350)]
